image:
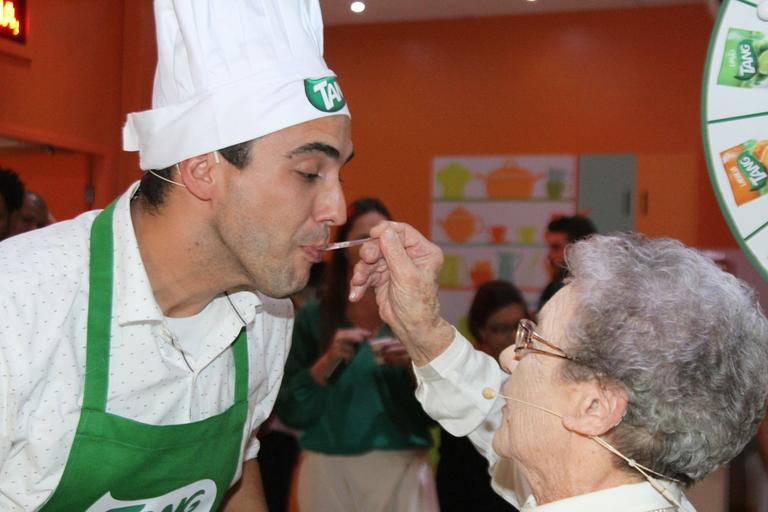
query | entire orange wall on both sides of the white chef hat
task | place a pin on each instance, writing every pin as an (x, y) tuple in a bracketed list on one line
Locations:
[(594, 82)]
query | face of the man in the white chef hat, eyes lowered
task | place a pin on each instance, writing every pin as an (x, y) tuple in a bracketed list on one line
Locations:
[(275, 214)]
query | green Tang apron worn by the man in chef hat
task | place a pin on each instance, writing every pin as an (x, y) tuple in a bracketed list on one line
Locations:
[(118, 464)]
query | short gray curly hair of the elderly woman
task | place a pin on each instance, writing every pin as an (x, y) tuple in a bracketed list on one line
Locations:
[(687, 341)]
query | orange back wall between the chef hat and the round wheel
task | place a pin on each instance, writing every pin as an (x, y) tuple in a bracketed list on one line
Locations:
[(623, 81)]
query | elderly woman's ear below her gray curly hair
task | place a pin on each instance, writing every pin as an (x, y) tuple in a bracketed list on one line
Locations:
[(595, 407)]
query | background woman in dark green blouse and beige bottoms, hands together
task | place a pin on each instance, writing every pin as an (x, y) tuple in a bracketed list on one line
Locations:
[(365, 437)]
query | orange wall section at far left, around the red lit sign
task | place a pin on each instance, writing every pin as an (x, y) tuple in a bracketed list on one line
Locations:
[(63, 87)]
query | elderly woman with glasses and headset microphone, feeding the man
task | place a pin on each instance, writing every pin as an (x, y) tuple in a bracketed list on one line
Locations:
[(647, 371)]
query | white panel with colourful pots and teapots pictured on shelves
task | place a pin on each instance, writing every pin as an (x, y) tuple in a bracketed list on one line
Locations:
[(489, 215)]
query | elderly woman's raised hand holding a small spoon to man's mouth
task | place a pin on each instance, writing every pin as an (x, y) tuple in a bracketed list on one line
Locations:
[(402, 266)]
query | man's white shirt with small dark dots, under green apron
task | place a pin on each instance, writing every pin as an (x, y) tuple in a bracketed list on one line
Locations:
[(43, 311)]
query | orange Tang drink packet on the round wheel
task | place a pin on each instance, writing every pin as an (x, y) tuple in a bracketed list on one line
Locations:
[(745, 166)]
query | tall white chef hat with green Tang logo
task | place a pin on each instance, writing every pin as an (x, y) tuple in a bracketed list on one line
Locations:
[(229, 71)]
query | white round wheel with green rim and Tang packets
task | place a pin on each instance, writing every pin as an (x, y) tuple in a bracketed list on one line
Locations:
[(734, 112)]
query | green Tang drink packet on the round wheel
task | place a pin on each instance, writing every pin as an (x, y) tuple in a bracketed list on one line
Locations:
[(745, 59)]
